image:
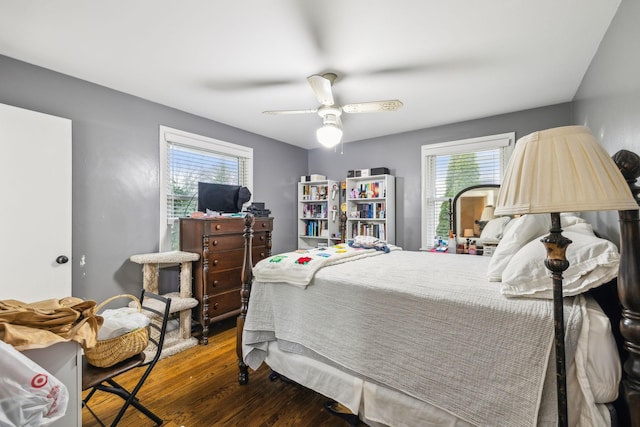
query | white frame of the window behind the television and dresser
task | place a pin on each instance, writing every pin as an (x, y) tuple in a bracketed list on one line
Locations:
[(192, 141)]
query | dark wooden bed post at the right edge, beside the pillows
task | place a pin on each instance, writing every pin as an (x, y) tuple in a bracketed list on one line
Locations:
[(629, 286)]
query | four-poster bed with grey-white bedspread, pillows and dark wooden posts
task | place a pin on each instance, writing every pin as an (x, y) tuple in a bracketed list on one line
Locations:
[(438, 342)]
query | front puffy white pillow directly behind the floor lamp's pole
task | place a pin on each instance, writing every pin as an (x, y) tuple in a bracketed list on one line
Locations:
[(592, 262)]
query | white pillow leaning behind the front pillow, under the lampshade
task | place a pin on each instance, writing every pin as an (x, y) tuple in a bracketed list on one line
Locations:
[(520, 231)]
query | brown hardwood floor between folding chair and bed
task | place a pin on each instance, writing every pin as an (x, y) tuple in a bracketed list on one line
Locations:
[(199, 388)]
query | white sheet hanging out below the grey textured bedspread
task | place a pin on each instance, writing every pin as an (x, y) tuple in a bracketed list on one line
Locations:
[(381, 406)]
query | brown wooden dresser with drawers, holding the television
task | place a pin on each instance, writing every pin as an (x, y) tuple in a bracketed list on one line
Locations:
[(217, 274)]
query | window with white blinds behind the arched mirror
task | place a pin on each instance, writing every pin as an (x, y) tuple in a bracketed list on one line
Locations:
[(449, 167)]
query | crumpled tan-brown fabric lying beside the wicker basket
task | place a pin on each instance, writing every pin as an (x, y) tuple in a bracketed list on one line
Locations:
[(41, 324)]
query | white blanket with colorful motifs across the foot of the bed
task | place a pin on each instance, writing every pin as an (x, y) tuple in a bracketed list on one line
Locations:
[(298, 267)]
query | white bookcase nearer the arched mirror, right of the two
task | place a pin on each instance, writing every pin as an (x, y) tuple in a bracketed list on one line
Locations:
[(371, 207)]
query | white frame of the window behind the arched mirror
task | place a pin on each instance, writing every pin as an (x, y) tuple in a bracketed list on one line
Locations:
[(504, 141)]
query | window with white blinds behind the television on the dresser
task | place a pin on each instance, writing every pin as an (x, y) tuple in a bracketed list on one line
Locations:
[(186, 159)]
